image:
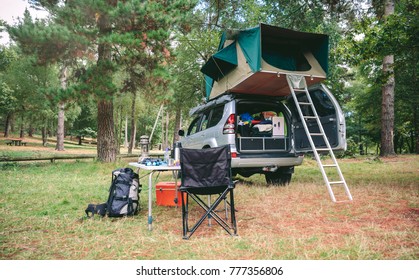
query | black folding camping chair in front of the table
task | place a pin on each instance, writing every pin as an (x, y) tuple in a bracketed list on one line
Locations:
[(207, 172)]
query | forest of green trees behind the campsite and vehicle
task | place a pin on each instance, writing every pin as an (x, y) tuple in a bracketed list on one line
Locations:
[(109, 69)]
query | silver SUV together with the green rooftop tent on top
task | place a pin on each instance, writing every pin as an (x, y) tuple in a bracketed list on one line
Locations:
[(250, 106)]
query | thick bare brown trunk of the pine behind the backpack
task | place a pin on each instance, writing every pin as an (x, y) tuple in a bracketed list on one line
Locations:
[(106, 145)]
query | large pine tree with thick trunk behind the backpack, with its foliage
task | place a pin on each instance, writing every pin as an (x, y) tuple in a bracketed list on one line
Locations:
[(111, 33)]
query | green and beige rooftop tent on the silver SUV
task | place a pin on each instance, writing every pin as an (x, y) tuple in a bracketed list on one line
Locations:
[(254, 60)]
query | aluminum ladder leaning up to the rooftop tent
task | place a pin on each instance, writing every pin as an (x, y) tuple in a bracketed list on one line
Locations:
[(298, 86)]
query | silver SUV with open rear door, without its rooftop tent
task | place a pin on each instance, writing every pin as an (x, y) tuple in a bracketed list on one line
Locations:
[(265, 132)]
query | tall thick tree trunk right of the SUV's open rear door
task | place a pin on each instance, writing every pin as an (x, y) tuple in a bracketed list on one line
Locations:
[(387, 105)]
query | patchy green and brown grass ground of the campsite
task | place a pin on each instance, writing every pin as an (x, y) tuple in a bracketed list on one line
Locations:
[(42, 216)]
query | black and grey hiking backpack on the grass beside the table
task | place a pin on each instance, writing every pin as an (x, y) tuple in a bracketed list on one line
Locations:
[(123, 197)]
